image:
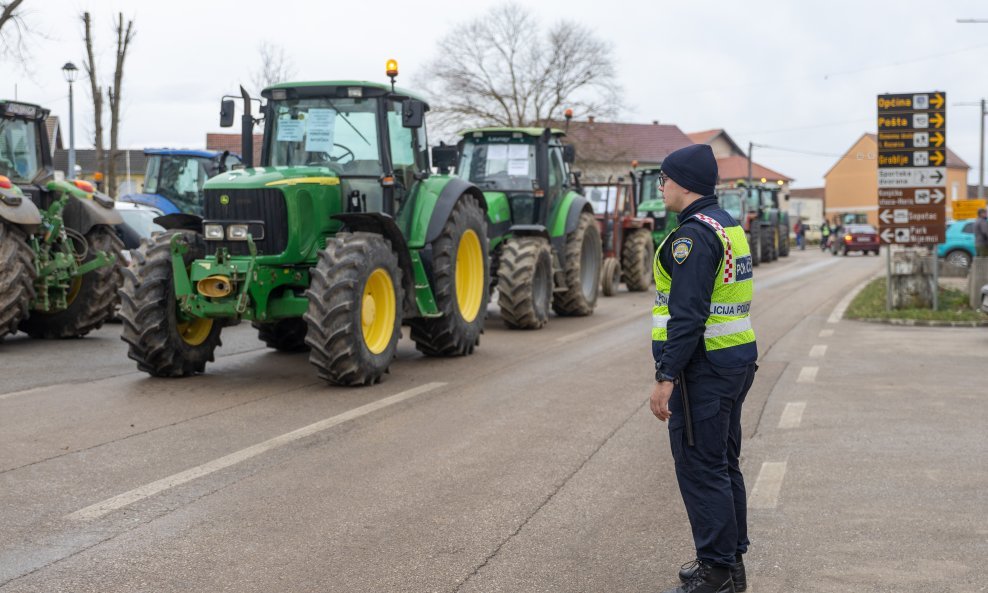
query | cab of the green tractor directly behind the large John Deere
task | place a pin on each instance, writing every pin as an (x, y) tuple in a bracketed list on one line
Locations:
[(529, 165)]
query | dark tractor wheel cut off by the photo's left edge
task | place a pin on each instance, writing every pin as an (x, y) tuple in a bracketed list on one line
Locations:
[(16, 278)]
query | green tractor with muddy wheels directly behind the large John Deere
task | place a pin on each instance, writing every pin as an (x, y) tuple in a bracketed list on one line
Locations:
[(545, 245)]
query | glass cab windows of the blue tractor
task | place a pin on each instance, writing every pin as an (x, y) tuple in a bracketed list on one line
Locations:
[(179, 179)]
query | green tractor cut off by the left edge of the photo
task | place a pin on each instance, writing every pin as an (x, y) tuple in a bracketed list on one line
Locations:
[(61, 256)]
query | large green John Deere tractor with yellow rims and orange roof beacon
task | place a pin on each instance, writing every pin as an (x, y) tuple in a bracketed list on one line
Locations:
[(339, 237)]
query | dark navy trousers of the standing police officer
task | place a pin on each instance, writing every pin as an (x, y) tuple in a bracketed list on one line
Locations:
[(709, 473)]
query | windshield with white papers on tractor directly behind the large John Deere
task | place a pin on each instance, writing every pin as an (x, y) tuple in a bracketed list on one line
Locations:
[(499, 162)]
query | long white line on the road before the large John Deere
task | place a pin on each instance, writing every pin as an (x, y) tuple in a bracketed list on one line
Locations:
[(127, 498)]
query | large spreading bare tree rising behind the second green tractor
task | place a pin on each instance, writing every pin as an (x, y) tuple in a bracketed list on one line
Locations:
[(504, 69)]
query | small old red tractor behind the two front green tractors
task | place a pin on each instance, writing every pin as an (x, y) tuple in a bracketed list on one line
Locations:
[(626, 237)]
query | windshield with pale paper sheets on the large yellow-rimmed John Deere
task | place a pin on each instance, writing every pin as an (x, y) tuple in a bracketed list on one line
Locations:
[(337, 133)]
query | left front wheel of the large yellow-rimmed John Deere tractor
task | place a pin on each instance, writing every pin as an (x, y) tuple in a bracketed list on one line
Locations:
[(162, 344)]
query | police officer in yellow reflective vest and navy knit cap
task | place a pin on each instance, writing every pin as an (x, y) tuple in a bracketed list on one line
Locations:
[(704, 349)]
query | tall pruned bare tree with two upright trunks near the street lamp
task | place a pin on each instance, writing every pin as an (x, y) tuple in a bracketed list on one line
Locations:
[(106, 160)]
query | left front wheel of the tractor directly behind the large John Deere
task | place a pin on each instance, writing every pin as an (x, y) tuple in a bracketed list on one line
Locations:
[(524, 283)]
